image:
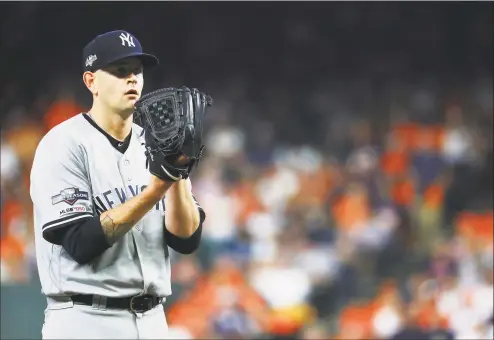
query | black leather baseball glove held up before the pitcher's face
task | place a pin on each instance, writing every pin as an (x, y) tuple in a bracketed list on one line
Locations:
[(172, 122)]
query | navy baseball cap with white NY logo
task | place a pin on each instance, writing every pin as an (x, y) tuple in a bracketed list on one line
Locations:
[(112, 46)]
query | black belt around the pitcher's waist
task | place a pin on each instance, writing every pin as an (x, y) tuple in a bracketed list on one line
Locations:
[(137, 304)]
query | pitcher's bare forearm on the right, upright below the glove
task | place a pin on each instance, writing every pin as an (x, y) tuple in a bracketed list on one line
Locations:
[(181, 216)]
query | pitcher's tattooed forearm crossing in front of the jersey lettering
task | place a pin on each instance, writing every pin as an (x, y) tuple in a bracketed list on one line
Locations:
[(119, 220)]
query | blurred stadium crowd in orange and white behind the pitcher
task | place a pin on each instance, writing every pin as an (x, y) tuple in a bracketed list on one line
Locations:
[(348, 174)]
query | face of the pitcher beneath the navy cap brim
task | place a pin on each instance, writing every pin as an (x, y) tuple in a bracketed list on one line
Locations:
[(120, 84)]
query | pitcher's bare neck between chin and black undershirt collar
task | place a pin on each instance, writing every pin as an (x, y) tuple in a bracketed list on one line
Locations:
[(116, 124)]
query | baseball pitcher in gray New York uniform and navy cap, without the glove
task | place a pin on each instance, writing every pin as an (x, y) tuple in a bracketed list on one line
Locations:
[(101, 230)]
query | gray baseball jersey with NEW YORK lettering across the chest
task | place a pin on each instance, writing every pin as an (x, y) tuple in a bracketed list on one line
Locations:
[(77, 174)]
